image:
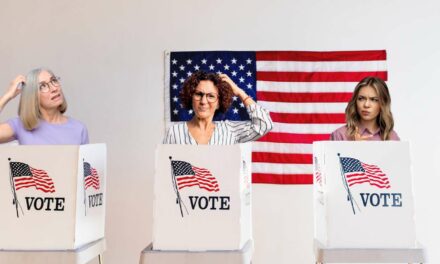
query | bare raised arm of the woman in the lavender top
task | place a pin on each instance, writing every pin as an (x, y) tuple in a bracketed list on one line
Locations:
[(6, 131)]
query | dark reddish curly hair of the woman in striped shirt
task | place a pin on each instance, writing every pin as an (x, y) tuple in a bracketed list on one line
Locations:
[(189, 87)]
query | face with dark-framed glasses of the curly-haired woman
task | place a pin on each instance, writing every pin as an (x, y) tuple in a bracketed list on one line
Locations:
[(205, 100)]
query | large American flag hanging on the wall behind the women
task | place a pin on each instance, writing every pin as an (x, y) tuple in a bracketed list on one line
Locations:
[(305, 92)]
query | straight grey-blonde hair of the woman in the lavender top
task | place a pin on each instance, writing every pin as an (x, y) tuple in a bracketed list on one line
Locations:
[(29, 106)]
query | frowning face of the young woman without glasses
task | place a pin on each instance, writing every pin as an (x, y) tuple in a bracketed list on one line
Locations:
[(367, 104)]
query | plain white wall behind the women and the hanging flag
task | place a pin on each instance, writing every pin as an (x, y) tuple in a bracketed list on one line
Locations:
[(110, 56)]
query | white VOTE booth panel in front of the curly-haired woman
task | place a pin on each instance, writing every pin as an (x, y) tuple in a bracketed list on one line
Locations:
[(203, 201)]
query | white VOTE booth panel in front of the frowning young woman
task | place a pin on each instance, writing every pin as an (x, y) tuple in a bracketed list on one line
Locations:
[(363, 195)]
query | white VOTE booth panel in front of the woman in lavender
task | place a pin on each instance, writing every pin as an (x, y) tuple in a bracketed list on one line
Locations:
[(52, 197)]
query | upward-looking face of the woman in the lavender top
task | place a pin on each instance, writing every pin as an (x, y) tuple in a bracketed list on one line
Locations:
[(50, 94)]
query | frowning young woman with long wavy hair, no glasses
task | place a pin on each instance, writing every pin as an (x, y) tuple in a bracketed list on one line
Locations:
[(368, 114)]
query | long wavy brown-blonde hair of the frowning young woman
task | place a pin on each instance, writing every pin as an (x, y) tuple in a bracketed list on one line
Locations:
[(384, 120)]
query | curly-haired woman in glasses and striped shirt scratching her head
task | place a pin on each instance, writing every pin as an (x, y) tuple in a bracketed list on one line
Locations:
[(209, 93)]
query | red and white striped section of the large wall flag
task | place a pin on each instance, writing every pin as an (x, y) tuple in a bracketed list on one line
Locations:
[(306, 94)]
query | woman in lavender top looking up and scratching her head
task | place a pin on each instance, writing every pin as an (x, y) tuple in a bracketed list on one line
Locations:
[(41, 118)]
